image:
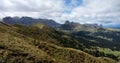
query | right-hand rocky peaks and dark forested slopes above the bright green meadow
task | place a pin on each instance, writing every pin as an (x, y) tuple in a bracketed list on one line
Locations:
[(95, 33)]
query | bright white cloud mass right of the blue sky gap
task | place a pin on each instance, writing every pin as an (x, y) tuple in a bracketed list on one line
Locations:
[(96, 11)]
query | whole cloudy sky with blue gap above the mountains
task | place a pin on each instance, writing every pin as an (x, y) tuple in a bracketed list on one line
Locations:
[(82, 11)]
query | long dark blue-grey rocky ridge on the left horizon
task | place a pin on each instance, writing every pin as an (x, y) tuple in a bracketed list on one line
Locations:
[(29, 21)]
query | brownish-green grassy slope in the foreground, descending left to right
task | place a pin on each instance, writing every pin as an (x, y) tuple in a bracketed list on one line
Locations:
[(23, 48)]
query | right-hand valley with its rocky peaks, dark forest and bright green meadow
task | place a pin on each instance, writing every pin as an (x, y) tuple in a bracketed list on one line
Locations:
[(103, 41)]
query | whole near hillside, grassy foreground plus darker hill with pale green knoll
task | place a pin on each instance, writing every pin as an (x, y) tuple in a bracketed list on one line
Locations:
[(43, 44)]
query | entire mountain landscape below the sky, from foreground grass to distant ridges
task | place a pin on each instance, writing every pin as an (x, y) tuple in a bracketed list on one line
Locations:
[(30, 40)]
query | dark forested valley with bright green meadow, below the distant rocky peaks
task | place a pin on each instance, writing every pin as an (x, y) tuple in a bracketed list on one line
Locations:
[(106, 39)]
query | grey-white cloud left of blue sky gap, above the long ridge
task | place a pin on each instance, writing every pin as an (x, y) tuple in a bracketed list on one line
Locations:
[(33, 8)]
